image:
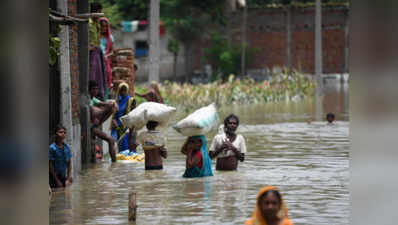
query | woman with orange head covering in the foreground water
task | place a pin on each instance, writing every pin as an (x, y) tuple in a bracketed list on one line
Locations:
[(270, 208)]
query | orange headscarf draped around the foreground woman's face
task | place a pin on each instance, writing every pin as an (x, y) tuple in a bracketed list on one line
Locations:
[(257, 217)]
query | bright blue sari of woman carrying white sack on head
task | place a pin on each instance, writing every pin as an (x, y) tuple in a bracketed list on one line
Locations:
[(206, 169)]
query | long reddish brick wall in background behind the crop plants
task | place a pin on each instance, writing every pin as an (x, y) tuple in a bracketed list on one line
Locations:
[(266, 30)]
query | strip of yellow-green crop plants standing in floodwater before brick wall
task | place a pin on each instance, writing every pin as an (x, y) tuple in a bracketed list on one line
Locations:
[(281, 87)]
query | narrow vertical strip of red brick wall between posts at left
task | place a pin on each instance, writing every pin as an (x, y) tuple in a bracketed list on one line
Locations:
[(74, 62)]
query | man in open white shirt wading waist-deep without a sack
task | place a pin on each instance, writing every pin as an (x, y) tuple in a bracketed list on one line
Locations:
[(228, 147)]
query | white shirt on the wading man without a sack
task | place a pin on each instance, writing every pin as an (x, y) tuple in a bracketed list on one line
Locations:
[(239, 143)]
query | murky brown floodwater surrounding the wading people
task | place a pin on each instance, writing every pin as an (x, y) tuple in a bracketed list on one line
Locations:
[(308, 162)]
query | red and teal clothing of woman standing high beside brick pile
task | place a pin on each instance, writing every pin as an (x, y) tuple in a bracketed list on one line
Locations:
[(106, 47)]
